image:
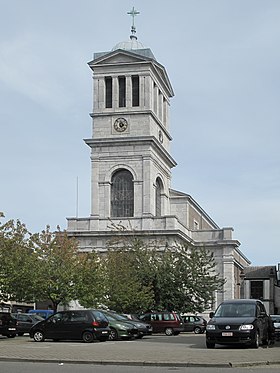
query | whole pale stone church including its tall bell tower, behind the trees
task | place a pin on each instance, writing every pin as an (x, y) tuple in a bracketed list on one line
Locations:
[(131, 166)]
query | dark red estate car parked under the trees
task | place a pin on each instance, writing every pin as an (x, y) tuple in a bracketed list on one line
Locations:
[(166, 322)]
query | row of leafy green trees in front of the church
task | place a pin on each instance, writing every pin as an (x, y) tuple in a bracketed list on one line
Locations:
[(130, 277)]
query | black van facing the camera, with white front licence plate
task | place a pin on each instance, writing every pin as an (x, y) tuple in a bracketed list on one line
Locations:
[(239, 321)]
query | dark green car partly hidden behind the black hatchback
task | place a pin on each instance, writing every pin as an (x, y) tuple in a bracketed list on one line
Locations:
[(120, 329)]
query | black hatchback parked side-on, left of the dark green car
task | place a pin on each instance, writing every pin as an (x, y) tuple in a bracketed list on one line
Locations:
[(86, 325)]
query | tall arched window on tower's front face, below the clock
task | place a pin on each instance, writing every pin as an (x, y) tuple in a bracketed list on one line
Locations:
[(122, 194)]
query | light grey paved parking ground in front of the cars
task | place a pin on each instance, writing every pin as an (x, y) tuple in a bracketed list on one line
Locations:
[(190, 352)]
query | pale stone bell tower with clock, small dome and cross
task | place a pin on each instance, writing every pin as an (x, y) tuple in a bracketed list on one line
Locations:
[(130, 143)]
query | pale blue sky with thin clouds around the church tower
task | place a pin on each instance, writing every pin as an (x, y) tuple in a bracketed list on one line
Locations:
[(223, 60)]
